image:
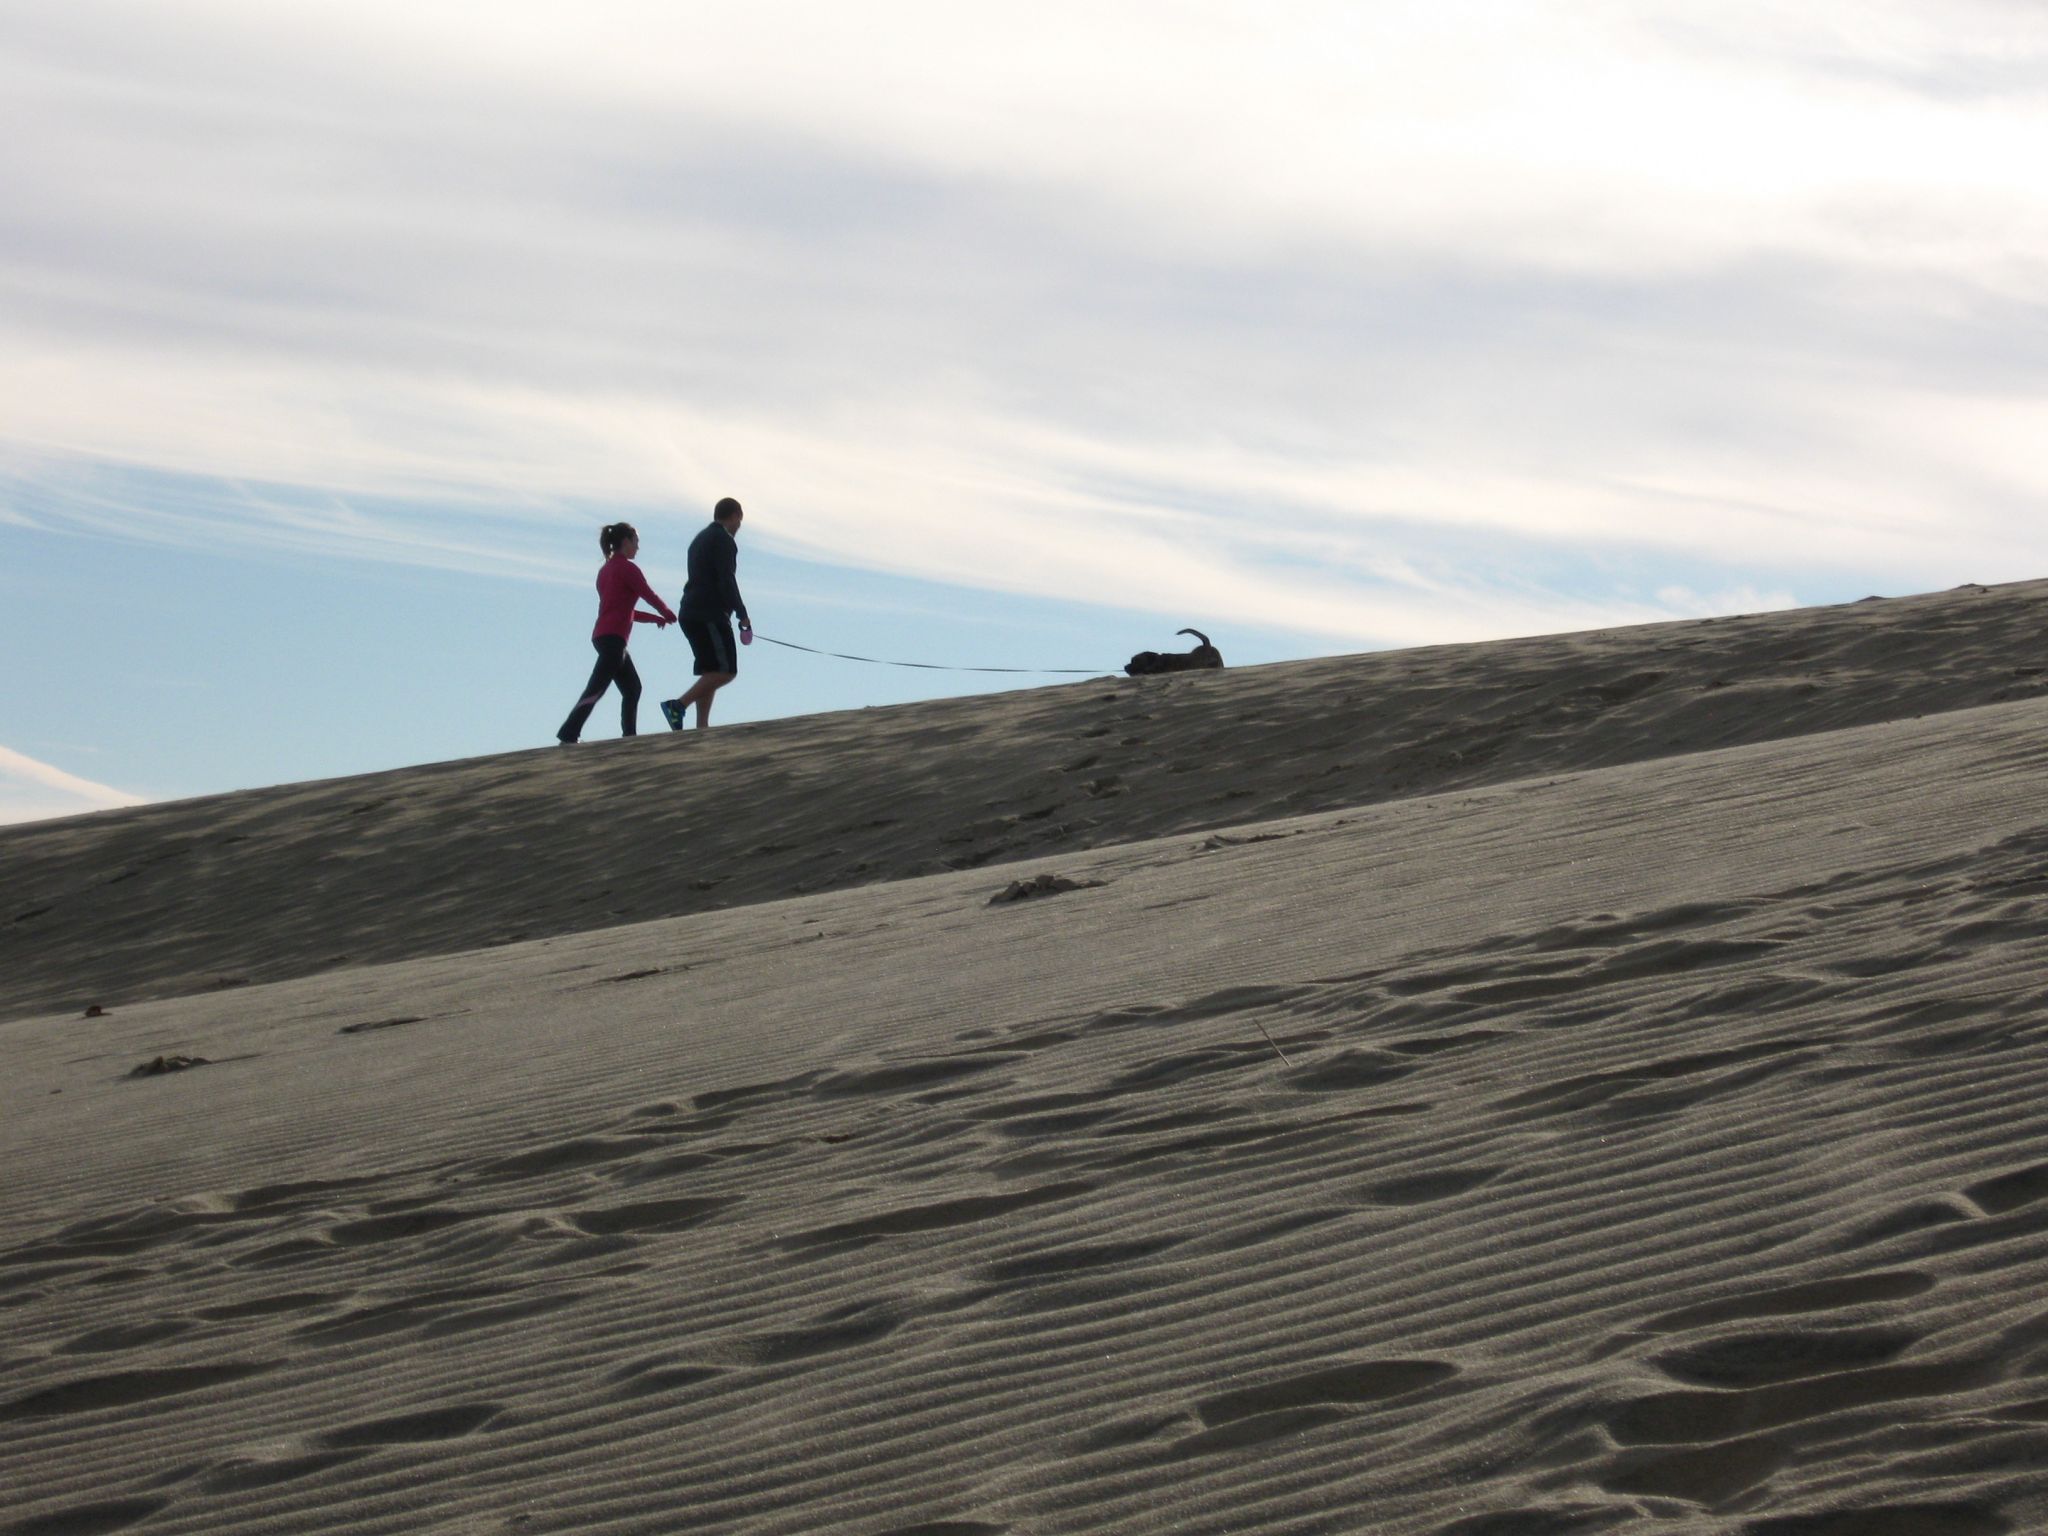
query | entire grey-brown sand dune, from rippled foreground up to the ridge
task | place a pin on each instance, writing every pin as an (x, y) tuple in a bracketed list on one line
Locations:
[(1537, 1089)]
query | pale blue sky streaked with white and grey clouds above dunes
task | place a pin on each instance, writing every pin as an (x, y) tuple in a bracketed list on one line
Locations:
[(1027, 335)]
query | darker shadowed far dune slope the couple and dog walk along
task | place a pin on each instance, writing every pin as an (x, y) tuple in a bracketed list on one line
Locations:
[(306, 878)]
